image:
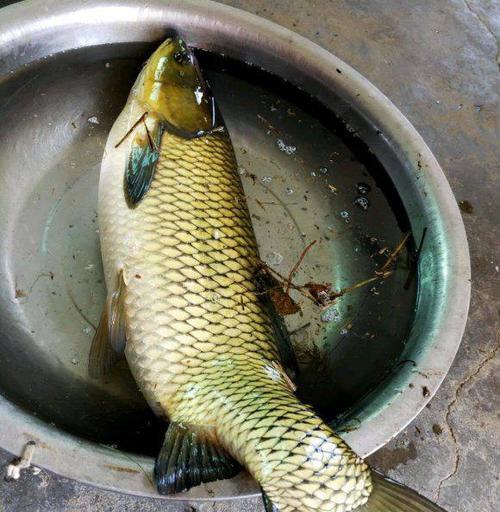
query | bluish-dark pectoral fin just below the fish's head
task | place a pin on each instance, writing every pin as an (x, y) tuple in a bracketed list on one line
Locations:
[(142, 160)]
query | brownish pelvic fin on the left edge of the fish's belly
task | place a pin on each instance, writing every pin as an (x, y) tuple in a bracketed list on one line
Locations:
[(109, 340)]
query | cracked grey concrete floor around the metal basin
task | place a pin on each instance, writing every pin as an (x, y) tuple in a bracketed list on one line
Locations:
[(438, 61)]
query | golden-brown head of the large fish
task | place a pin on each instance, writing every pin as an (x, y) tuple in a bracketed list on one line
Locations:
[(172, 87)]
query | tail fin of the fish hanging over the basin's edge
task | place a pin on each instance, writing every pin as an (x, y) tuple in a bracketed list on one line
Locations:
[(389, 496)]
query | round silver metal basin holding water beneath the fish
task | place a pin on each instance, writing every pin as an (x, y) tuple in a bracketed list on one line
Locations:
[(324, 156)]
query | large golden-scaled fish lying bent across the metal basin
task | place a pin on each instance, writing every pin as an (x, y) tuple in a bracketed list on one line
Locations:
[(189, 308)]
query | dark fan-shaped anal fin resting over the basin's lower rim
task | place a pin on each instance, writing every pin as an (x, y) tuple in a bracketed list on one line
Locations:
[(186, 460)]
